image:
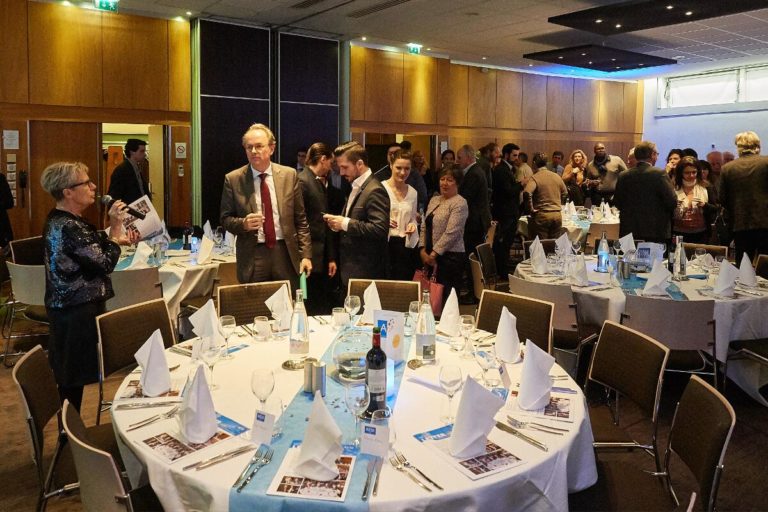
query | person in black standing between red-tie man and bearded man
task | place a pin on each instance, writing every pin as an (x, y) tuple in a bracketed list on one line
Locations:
[(320, 198)]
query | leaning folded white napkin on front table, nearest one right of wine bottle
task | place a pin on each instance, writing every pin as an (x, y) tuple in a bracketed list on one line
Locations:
[(474, 420)]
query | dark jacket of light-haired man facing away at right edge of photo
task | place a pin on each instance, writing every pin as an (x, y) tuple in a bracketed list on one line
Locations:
[(744, 192)]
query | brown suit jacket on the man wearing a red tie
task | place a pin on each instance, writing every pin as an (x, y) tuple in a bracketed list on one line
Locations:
[(238, 200)]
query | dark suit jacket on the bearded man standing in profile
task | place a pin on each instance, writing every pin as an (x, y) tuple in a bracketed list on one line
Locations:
[(363, 247)]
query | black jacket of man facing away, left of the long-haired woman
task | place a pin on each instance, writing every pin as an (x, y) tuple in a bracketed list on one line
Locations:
[(645, 197)]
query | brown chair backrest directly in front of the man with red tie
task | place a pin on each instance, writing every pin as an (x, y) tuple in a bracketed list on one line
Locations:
[(246, 301)]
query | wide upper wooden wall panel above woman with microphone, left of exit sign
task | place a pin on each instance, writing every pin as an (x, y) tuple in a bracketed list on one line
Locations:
[(65, 55)]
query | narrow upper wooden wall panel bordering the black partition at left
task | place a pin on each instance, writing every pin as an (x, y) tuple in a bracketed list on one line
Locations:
[(179, 67)]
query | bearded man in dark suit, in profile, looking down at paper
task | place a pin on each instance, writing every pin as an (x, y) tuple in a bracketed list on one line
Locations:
[(363, 226)]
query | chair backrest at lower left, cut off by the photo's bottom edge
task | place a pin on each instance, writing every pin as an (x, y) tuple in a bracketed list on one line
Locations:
[(101, 487)]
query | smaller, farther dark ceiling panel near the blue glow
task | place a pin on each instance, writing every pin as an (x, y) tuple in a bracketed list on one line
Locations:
[(600, 58)]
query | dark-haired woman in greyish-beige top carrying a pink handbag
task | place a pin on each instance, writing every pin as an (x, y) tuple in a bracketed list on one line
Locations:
[(442, 232)]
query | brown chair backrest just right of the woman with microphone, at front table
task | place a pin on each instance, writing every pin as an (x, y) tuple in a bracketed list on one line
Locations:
[(123, 331)]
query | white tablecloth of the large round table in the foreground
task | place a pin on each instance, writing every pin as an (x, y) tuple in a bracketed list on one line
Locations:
[(541, 482)]
